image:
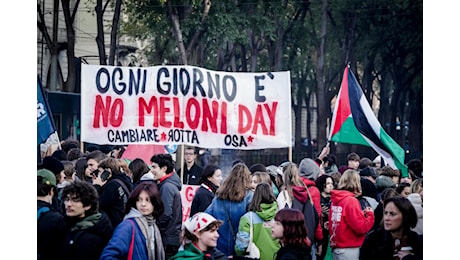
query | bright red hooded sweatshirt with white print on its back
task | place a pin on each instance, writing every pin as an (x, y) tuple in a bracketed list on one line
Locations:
[(348, 225)]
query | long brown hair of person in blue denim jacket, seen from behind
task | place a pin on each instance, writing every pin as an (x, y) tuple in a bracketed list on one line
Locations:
[(234, 187)]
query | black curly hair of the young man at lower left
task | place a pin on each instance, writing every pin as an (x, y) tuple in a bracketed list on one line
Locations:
[(85, 192)]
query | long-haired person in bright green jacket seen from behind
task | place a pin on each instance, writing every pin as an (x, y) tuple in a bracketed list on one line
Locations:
[(262, 210)]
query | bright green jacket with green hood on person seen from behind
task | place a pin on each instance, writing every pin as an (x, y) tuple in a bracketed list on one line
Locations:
[(262, 237)]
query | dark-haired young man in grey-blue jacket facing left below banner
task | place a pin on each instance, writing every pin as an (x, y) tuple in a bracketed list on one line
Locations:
[(169, 185)]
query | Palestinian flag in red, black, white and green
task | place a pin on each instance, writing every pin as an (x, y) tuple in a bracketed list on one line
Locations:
[(354, 122)]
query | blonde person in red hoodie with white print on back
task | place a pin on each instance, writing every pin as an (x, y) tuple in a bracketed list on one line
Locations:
[(348, 223)]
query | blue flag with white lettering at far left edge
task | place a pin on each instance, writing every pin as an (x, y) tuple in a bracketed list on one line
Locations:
[(45, 124)]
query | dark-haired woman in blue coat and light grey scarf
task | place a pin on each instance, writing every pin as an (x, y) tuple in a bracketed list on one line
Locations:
[(138, 235)]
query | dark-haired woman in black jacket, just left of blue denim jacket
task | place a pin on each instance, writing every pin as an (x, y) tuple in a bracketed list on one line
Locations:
[(209, 183)]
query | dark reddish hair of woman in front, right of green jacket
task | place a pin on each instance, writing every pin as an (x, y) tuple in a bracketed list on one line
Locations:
[(295, 231)]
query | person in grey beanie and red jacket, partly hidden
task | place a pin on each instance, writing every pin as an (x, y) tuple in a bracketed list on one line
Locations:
[(309, 172)]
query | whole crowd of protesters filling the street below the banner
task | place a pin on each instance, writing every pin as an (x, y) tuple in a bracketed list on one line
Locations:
[(95, 205)]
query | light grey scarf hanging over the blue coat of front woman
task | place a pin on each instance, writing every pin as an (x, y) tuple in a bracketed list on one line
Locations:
[(153, 237)]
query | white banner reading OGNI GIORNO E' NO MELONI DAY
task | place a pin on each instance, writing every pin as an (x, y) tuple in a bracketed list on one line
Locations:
[(185, 105)]
